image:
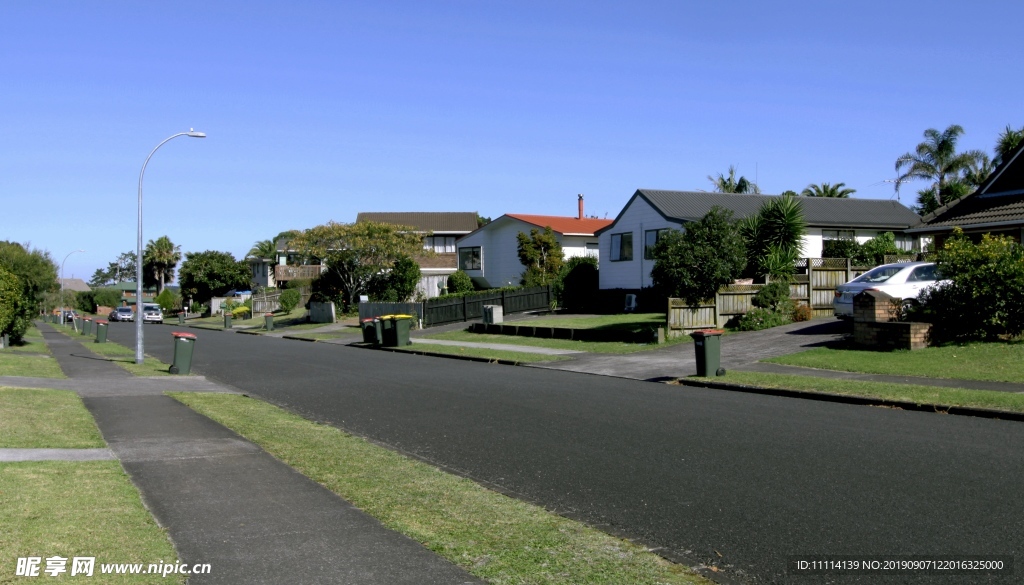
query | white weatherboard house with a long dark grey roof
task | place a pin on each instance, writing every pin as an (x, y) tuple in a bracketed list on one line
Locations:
[(626, 245)]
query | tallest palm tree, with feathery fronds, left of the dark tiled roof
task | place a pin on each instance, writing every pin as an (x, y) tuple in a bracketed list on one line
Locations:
[(937, 160)]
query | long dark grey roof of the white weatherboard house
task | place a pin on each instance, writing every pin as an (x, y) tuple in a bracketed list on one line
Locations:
[(820, 212)]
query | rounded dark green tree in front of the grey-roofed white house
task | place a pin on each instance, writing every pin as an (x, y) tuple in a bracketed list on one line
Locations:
[(694, 264)]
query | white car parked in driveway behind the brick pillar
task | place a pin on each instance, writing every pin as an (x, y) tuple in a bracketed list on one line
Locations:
[(905, 281)]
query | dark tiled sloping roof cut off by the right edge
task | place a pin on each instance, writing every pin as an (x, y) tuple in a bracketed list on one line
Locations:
[(1000, 201)]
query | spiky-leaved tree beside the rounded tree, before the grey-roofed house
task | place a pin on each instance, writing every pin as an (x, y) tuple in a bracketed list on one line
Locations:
[(775, 237)]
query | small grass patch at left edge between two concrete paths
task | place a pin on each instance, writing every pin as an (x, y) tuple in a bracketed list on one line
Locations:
[(34, 419)]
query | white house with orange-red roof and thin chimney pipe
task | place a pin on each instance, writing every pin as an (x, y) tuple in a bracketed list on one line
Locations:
[(490, 255)]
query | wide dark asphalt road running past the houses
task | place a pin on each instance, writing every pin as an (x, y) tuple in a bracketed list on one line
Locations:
[(735, 480)]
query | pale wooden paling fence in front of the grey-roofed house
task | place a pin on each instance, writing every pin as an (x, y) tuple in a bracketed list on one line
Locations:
[(816, 285)]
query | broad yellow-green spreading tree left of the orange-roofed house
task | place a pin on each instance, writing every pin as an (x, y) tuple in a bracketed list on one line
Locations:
[(355, 254)]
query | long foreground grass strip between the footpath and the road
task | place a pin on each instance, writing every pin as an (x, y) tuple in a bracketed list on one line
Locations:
[(495, 537)]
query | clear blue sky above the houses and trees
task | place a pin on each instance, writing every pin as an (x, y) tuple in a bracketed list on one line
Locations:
[(317, 111)]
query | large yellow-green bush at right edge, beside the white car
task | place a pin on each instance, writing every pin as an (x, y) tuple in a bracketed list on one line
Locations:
[(986, 297)]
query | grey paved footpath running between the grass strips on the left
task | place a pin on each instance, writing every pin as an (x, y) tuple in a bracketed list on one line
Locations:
[(225, 500)]
